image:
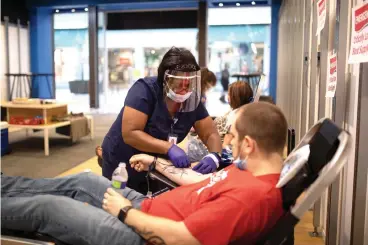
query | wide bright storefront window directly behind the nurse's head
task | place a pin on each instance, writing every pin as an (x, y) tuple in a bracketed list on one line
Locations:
[(137, 56)]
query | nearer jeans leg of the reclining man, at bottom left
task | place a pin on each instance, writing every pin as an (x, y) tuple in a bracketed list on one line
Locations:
[(67, 220)]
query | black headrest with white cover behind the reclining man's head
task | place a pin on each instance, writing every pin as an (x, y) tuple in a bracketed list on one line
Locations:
[(302, 169)]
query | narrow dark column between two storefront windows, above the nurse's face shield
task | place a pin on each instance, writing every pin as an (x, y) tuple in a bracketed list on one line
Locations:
[(202, 33)]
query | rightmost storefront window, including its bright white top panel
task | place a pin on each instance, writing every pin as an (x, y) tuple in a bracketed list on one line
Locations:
[(240, 41)]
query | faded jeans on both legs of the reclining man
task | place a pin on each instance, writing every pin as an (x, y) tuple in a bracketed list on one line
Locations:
[(58, 207)]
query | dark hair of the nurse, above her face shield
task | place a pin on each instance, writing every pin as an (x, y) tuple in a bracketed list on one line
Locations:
[(179, 59)]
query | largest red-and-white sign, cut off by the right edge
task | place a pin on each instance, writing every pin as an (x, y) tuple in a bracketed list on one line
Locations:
[(359, 36)]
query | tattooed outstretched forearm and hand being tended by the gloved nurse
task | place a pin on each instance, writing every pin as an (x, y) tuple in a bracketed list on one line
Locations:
[(181, 176)]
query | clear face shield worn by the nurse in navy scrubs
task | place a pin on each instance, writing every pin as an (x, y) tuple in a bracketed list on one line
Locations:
[(184, 87)]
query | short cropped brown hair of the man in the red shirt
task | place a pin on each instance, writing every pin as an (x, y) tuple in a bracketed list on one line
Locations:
[(265, 123)]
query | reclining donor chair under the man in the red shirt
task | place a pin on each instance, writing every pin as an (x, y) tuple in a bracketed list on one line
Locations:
[(310, 168)]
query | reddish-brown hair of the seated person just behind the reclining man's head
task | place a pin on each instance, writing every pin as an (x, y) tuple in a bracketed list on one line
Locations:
[(240, 93)]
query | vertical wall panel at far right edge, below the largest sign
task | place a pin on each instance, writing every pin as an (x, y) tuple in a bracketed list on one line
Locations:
[(360, 195)]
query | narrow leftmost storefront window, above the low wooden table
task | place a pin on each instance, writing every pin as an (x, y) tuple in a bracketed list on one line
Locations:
[(71, 59)]
